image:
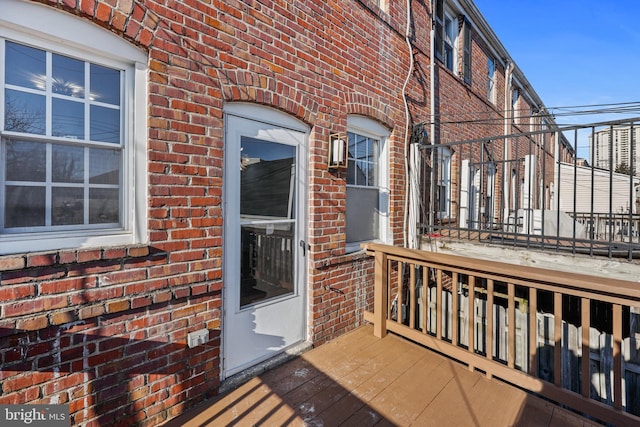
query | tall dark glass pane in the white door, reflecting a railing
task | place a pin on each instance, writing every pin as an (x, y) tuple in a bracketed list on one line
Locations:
[(267, 220)]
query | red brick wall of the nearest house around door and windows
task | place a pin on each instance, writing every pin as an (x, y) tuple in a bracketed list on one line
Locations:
[(104, 329)]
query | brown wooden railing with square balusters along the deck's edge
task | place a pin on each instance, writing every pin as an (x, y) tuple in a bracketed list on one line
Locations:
[(527, 326)]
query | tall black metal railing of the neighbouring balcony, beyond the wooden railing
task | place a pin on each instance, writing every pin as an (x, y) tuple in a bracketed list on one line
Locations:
[(531, 189)]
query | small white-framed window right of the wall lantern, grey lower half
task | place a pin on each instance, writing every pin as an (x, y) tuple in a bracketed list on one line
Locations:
[(367, 182)]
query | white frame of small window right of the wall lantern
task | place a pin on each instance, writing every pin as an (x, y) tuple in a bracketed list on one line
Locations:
[(369, 128)]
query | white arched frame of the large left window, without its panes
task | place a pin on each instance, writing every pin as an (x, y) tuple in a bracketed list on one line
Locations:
[(46, 28)]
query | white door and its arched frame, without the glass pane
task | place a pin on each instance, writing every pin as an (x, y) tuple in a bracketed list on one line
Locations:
[(257, 332)]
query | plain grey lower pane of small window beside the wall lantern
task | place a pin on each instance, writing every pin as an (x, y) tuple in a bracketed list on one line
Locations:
[(362, 214)]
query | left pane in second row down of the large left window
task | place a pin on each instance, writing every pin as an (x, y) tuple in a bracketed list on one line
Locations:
[(24, 112)]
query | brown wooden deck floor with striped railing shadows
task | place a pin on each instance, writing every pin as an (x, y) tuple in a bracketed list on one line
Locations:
[(360, 380)]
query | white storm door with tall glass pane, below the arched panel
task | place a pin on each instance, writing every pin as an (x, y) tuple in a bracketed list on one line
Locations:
[(264, 258)]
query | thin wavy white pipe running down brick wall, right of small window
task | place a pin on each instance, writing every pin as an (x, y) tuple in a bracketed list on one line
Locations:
[(410, 204)]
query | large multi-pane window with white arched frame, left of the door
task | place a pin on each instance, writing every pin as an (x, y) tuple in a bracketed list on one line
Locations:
[(71, 123)]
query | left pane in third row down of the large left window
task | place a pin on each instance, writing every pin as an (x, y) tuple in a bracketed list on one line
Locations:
[(26, 161)]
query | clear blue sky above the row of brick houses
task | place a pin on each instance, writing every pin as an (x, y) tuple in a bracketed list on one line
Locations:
[(573, 52)]
